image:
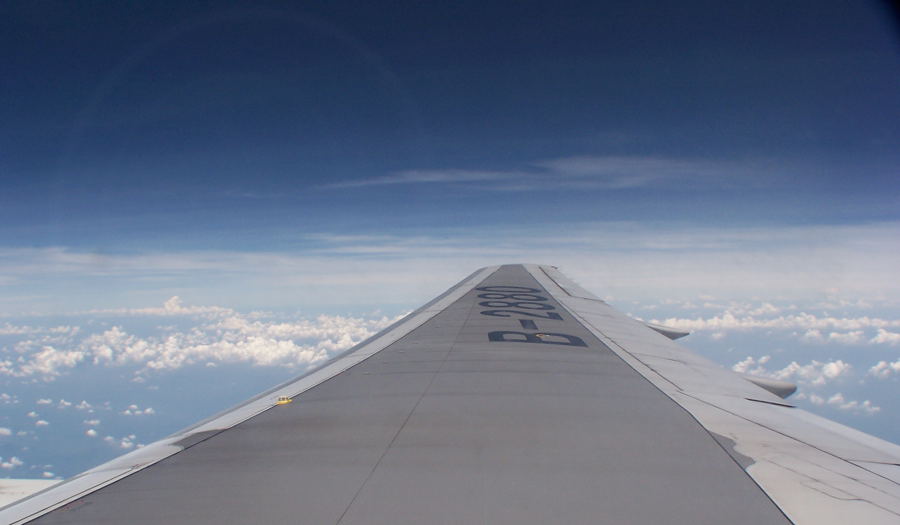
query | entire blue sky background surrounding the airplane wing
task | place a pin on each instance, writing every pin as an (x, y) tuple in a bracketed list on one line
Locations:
[(354, 159)]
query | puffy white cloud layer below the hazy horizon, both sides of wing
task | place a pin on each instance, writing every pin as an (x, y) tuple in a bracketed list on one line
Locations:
[(146, 345)]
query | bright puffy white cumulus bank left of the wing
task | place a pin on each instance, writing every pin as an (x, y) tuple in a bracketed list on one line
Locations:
[(226, 337)]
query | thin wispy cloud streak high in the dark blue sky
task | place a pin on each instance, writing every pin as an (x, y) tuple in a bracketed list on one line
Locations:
[(597, 172)]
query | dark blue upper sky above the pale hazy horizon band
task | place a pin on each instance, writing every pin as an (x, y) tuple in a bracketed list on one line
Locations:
[(173, 124)]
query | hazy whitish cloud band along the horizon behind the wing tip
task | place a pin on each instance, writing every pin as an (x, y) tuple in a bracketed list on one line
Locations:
[(622, 259)]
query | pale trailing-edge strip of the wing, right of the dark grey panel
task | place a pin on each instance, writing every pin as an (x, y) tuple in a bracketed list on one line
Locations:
[(816, 470)]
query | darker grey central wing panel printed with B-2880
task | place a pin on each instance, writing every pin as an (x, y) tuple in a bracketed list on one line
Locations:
[(502, 407)]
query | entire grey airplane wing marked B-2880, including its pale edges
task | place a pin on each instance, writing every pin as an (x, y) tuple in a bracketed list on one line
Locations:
[(514, 397)]
